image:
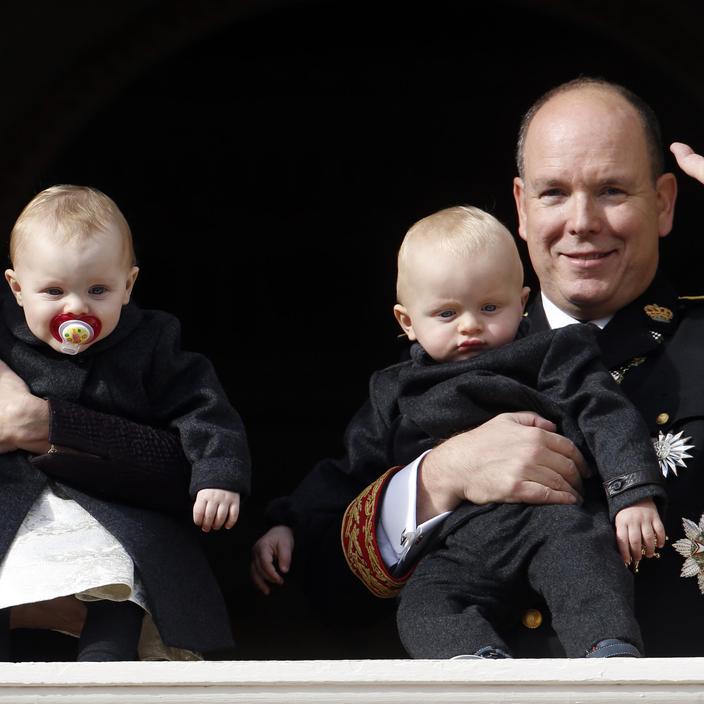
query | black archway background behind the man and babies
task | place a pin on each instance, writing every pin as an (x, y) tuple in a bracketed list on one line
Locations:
[(269, 157)]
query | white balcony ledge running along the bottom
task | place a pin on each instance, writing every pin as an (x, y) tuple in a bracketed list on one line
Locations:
[(668, 681)]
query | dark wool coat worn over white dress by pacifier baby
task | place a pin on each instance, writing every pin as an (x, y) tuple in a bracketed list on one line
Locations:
[(138, 372)]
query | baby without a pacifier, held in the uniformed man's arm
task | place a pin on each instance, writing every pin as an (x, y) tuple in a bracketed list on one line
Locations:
[(461, 299)]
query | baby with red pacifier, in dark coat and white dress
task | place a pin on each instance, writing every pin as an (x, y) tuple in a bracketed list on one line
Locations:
[(71, 333)]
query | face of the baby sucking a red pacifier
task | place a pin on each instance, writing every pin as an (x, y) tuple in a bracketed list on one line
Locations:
[(90, 277)]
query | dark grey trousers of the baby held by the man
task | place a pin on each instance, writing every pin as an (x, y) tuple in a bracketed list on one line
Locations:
[(464, 588)]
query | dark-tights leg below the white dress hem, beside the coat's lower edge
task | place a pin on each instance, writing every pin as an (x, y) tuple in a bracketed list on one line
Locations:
[(111, 631)]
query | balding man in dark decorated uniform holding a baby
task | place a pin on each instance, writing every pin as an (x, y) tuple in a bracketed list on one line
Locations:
[(592, 202)]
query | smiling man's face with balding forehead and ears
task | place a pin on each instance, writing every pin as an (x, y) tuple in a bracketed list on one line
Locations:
[(587, 204)]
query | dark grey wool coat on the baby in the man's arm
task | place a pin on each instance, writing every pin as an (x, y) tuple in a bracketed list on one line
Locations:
[(415, 404)]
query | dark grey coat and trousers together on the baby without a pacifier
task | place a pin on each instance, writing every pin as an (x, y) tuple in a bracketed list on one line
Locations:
[(470, 581)]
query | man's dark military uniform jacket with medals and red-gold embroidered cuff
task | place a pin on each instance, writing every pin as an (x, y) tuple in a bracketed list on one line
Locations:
[(655, 349)]
